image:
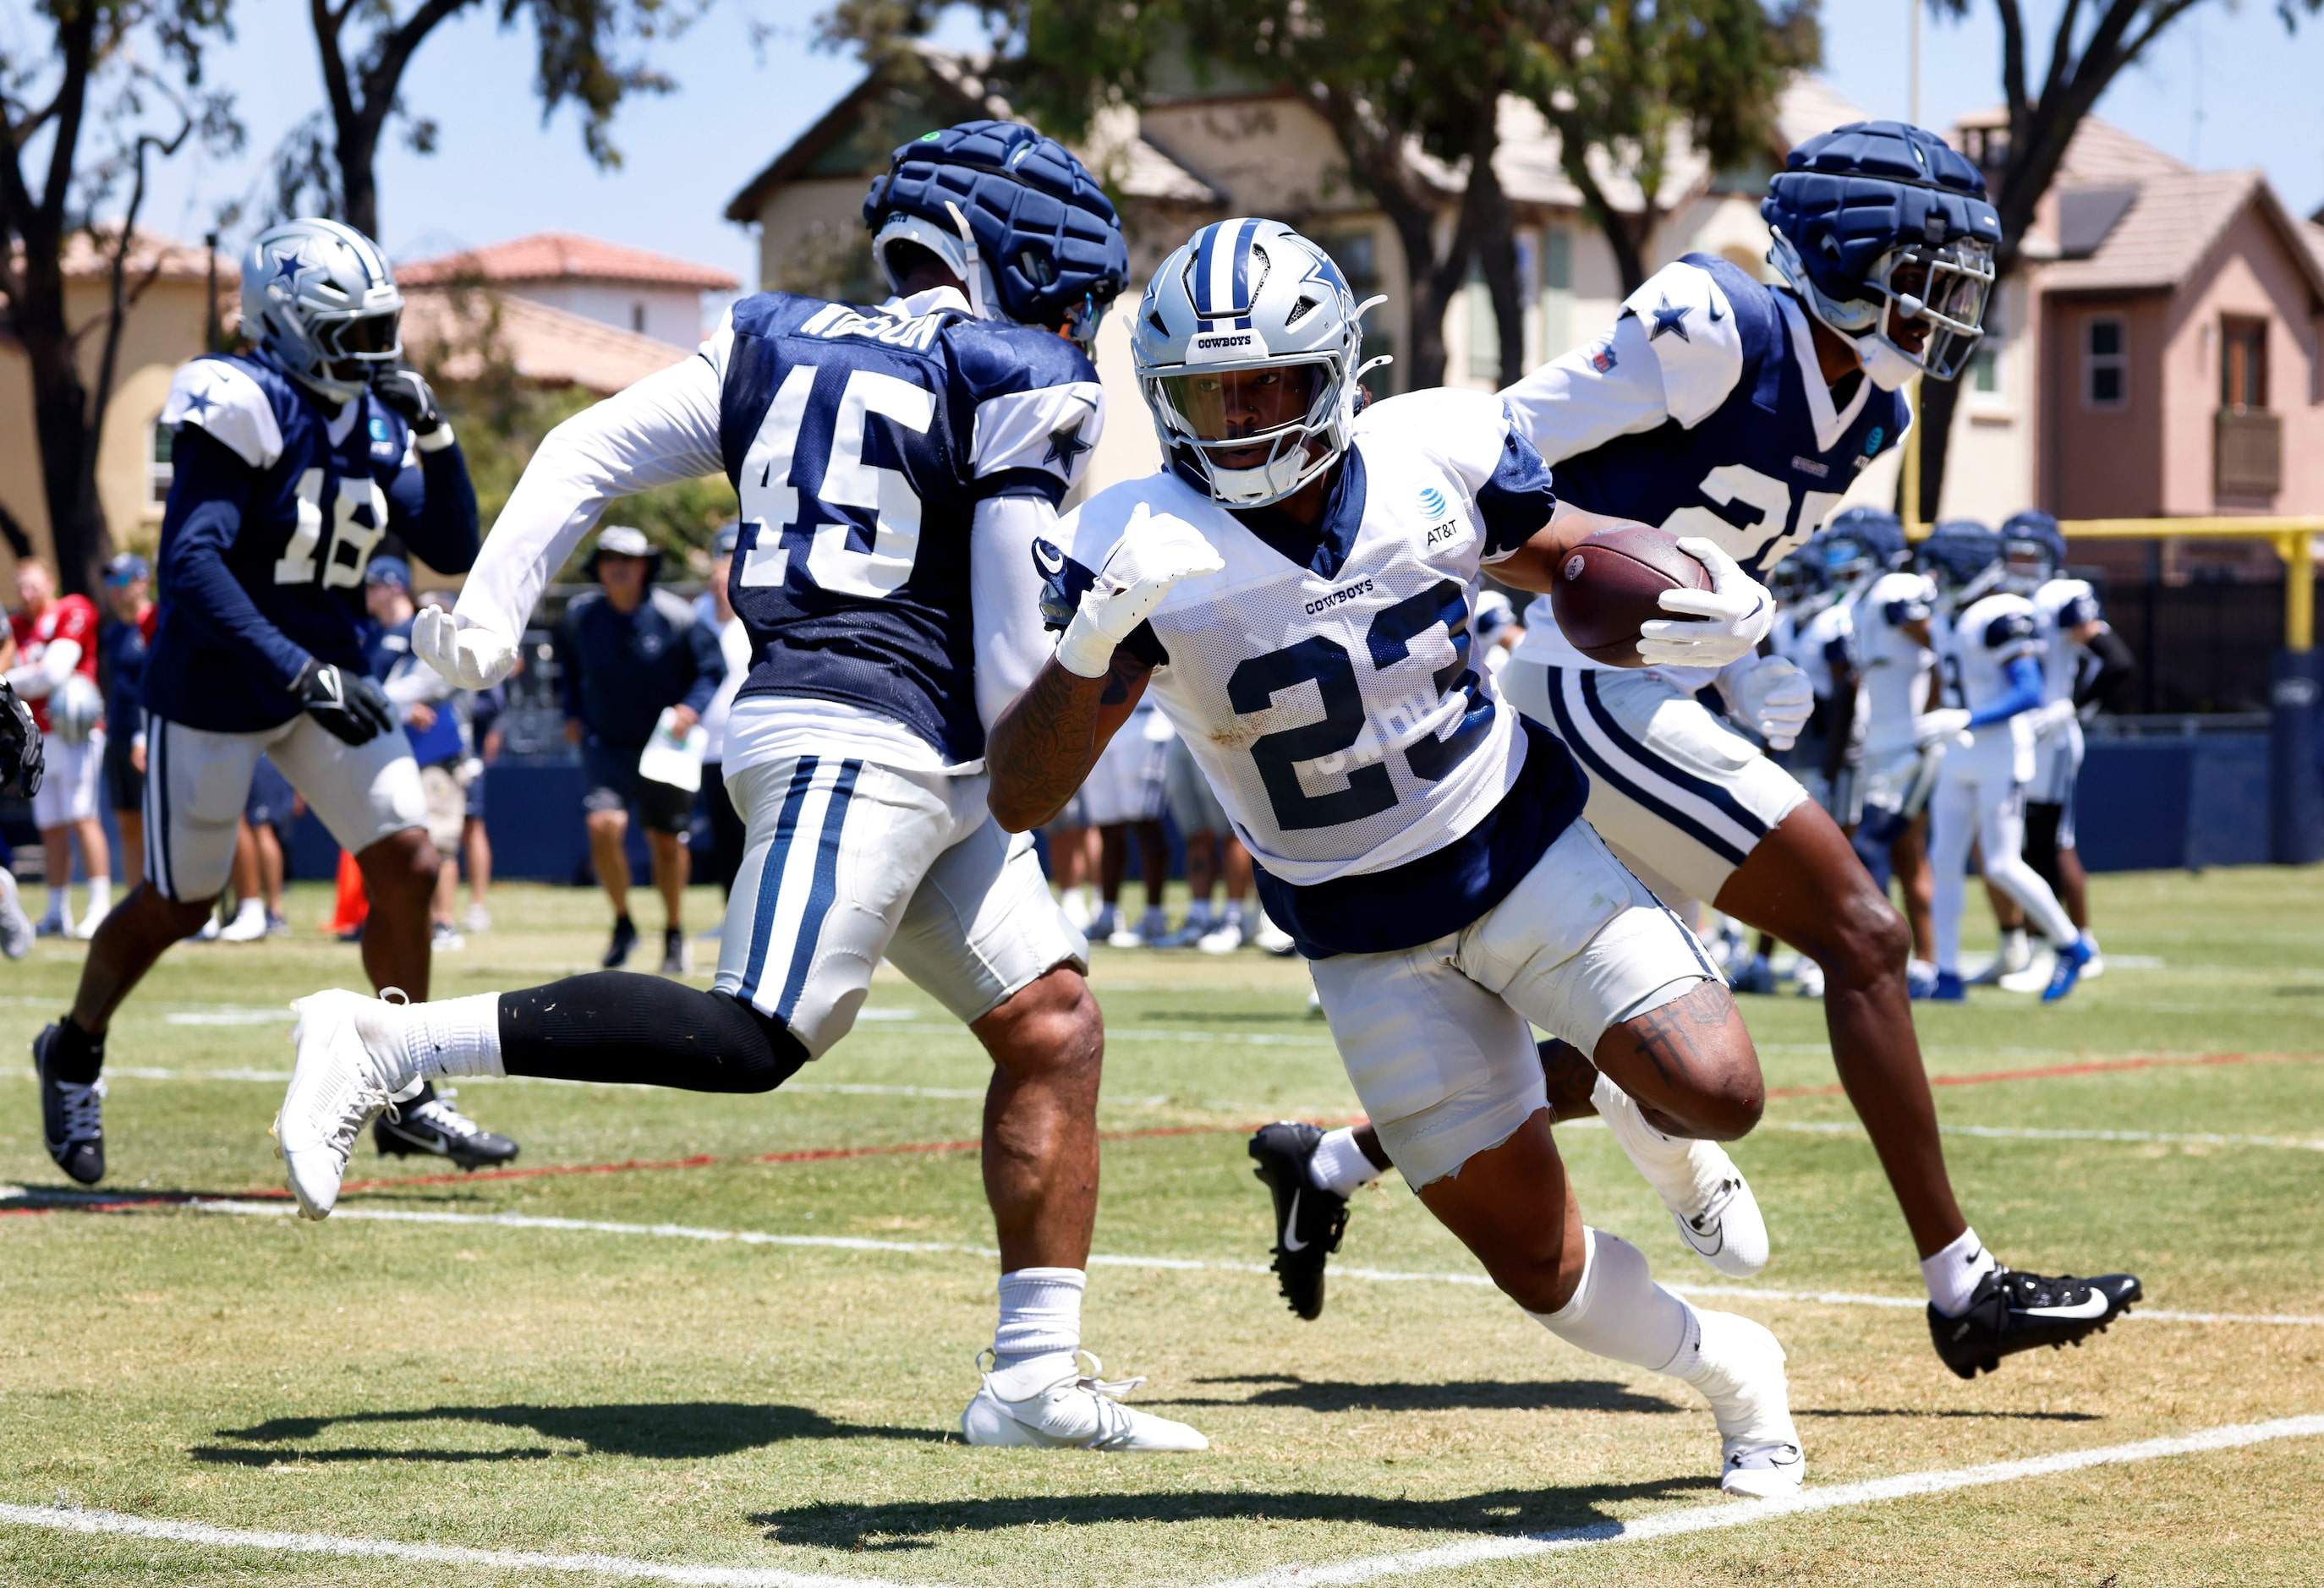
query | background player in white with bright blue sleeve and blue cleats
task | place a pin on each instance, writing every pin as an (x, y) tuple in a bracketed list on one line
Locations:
[(1993, 717)]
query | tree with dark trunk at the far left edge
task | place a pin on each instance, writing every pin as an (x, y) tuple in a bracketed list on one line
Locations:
[(113, 87)]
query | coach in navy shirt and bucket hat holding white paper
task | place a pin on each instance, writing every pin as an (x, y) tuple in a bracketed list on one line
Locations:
[(629, 654)]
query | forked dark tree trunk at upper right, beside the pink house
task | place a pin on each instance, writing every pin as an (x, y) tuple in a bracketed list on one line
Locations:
[(2090, 48)]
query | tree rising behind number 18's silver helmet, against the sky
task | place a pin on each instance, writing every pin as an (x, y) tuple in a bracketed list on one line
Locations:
[(329, 164)]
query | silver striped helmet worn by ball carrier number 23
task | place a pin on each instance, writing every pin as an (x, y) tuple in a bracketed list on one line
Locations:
[(1249, 296)]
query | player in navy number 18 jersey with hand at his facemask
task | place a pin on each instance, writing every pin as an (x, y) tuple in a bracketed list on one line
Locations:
[(292, 464)]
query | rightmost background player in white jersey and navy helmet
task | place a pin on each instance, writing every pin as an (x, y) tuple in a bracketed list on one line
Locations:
[(2083, 664)]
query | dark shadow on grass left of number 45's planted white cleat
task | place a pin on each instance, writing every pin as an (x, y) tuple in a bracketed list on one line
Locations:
[(659, 1431)]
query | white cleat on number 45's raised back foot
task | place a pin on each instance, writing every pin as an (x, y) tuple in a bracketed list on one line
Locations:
[(350, 1068)]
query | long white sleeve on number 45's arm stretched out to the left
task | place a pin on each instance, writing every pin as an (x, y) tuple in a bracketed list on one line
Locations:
[(657, 434)]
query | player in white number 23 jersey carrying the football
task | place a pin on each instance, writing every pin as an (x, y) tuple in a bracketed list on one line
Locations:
[(1296, 594)]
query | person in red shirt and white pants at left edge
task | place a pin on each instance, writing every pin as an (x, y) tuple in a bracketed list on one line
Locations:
[(57, 643)]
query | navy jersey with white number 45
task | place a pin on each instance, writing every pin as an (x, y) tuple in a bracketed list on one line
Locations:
[(861, 443)]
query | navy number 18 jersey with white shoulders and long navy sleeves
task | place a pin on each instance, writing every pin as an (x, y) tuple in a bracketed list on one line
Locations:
[(275, 508)]
